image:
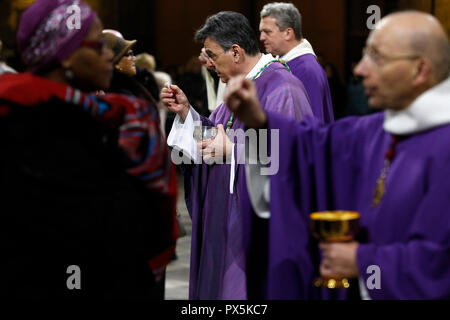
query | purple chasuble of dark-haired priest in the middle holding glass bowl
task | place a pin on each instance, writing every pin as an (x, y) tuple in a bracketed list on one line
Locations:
[(217, 269)]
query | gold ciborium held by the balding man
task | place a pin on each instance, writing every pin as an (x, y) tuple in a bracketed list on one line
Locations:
[(334, 226)]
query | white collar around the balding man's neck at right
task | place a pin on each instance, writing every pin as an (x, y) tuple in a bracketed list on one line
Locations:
[(431, 109)]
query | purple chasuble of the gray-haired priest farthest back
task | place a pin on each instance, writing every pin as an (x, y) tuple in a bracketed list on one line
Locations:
[(313, 77)]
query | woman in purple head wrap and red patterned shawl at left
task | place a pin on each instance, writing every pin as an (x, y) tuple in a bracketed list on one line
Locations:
[(88, 191)]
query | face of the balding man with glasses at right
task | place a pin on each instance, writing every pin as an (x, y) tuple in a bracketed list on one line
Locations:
[(387, 68)]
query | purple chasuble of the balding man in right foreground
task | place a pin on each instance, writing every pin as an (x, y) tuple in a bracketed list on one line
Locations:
[(336, 167)]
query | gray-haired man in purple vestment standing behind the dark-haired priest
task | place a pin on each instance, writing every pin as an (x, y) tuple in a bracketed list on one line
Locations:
[(281, 32)]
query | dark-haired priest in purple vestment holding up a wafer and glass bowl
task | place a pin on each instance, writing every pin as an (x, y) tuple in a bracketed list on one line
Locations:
[(213, 189)]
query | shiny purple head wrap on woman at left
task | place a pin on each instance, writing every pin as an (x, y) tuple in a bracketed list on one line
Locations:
[(46, 36)]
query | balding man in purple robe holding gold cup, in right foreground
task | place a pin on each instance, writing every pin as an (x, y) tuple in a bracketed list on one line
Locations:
[(392, 167)]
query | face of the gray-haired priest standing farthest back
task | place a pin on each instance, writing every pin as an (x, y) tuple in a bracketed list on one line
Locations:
[(272, 37)]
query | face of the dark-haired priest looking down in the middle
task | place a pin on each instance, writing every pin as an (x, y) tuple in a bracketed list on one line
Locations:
[(223, 61)]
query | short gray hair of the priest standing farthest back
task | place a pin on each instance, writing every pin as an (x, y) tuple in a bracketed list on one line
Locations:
[(286, 16)]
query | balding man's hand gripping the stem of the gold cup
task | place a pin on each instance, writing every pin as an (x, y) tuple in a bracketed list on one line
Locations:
[(339, 259)]
